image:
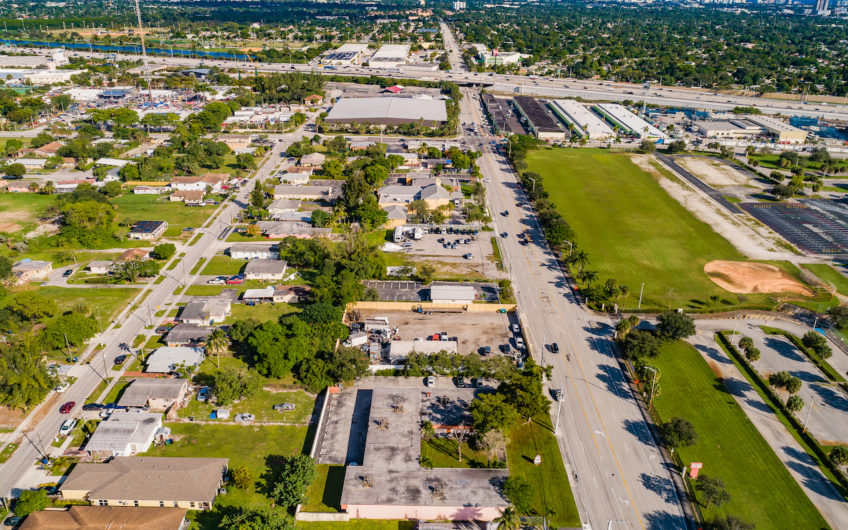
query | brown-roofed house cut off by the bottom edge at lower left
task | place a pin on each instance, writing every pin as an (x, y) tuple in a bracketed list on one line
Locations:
[(77, 517)]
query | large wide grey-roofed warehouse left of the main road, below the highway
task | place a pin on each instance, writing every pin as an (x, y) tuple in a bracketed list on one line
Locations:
[(388, 111)]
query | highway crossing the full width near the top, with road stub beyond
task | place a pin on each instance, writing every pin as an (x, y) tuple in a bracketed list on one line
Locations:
[(589, 89)]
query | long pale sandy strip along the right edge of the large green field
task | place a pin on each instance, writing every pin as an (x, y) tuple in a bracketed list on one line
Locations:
[(748, 237)]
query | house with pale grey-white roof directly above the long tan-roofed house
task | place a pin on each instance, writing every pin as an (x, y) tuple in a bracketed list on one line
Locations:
[(123, 433)]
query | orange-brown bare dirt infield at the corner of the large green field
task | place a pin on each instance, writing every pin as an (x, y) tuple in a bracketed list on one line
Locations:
[(742, 277)]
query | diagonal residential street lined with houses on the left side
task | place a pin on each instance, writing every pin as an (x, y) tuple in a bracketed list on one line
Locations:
[(17, 472)]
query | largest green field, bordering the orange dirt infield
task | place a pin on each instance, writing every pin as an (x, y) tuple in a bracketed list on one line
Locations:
[(633, 230)]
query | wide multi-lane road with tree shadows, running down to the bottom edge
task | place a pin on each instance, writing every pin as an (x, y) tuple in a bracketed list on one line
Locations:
[(616, 469)]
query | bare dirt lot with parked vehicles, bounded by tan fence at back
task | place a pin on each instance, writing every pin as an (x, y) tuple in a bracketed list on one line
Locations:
[(472, 330)]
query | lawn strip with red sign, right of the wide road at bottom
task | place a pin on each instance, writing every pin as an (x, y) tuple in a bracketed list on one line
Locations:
[(761, 490)]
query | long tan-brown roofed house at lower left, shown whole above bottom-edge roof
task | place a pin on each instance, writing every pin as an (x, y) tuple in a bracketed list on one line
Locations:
[(190, 483)]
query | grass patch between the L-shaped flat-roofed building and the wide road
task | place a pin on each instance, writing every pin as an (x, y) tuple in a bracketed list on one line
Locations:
[(549, 479)]
